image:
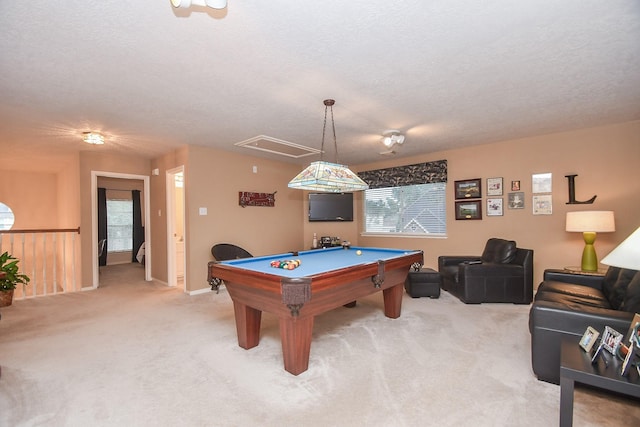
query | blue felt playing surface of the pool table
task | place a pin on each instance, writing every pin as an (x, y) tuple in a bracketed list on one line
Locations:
[(318, 261)]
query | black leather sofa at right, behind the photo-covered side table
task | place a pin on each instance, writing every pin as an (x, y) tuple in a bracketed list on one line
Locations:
[(565, 304)]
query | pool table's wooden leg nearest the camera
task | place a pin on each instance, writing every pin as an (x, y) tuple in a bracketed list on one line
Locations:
[(295, 334)]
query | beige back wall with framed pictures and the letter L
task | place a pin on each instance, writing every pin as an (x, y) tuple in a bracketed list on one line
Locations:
[(605, 159)]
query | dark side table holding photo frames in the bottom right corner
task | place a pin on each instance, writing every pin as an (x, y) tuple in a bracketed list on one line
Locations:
[(576, 366)]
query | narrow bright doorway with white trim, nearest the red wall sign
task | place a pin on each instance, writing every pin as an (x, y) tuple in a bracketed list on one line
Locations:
[(176, 230)]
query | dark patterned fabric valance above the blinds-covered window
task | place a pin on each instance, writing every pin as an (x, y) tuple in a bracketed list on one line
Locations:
[(399, 176)]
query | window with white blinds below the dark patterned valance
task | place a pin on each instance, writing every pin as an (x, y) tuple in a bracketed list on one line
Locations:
[(411, 210)]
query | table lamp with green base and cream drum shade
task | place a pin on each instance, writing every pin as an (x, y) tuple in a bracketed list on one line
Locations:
[(589, 223)]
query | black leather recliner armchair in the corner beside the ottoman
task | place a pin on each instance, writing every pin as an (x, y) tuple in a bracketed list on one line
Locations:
[(503, 273)]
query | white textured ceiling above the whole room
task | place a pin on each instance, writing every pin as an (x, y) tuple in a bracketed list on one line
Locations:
[(446, 73)]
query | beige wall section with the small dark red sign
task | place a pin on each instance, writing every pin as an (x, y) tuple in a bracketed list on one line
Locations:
[(213, 180)]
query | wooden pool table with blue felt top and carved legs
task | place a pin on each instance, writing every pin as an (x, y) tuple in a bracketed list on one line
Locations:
[(326, 279)]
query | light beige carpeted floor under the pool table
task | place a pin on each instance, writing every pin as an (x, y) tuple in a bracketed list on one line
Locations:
[(136, 353)]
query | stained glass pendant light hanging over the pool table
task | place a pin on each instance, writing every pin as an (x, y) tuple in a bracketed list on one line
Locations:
[(325, 176)]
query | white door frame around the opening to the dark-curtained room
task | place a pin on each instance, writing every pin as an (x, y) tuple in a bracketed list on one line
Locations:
[(94, 221)]
